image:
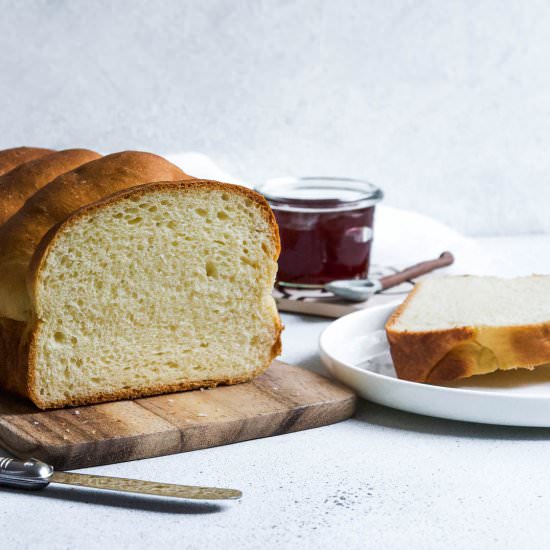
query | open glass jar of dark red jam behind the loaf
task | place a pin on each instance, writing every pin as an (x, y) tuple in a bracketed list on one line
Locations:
[(325, 226)]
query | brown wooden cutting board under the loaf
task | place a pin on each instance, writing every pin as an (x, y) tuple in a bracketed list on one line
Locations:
[(284, 399)]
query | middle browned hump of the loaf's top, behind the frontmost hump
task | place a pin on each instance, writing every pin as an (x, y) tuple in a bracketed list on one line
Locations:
[(22, 182)]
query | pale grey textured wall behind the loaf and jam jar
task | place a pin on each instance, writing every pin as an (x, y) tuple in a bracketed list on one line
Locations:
[(444, 104)]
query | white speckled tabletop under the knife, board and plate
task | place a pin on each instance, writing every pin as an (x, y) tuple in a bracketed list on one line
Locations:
[(384, 479)]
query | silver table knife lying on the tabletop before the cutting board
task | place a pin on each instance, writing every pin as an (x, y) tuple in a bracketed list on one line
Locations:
[(33, 474)]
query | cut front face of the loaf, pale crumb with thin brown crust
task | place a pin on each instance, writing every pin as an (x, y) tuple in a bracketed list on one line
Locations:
[(159, 288)]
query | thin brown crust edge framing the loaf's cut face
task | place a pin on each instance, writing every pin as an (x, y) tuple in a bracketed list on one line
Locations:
[(26, 357)]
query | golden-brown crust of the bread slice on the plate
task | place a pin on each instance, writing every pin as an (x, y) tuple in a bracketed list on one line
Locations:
[(440, 356)]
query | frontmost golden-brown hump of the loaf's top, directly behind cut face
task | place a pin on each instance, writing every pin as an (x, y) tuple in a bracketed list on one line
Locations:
[(20, 235)]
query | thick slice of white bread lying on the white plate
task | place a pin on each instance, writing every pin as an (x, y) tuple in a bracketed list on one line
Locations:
[(456, 327)]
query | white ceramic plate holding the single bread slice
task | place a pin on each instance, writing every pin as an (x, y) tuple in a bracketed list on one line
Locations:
[(355, 350)]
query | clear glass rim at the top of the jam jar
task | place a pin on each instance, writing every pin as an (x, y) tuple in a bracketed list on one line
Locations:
[(371, 194)]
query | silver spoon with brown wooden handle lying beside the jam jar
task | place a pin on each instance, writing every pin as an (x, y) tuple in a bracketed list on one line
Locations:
[(359, 290)]
